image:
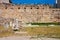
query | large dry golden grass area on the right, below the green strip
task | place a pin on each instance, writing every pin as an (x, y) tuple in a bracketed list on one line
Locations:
[(47, 31)]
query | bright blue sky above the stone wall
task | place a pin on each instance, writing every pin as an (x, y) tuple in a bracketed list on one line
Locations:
[(33, 1)]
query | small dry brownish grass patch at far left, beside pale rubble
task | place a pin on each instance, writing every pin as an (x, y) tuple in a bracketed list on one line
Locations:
[(4, 32)]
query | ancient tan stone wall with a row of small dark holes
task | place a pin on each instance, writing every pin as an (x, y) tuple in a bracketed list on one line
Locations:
[(30, 13)]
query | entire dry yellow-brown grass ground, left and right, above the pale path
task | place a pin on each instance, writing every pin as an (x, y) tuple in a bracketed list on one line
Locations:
[(46, 31)]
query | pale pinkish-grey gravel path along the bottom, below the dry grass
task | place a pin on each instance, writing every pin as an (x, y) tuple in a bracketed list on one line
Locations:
[(25, 38)]
